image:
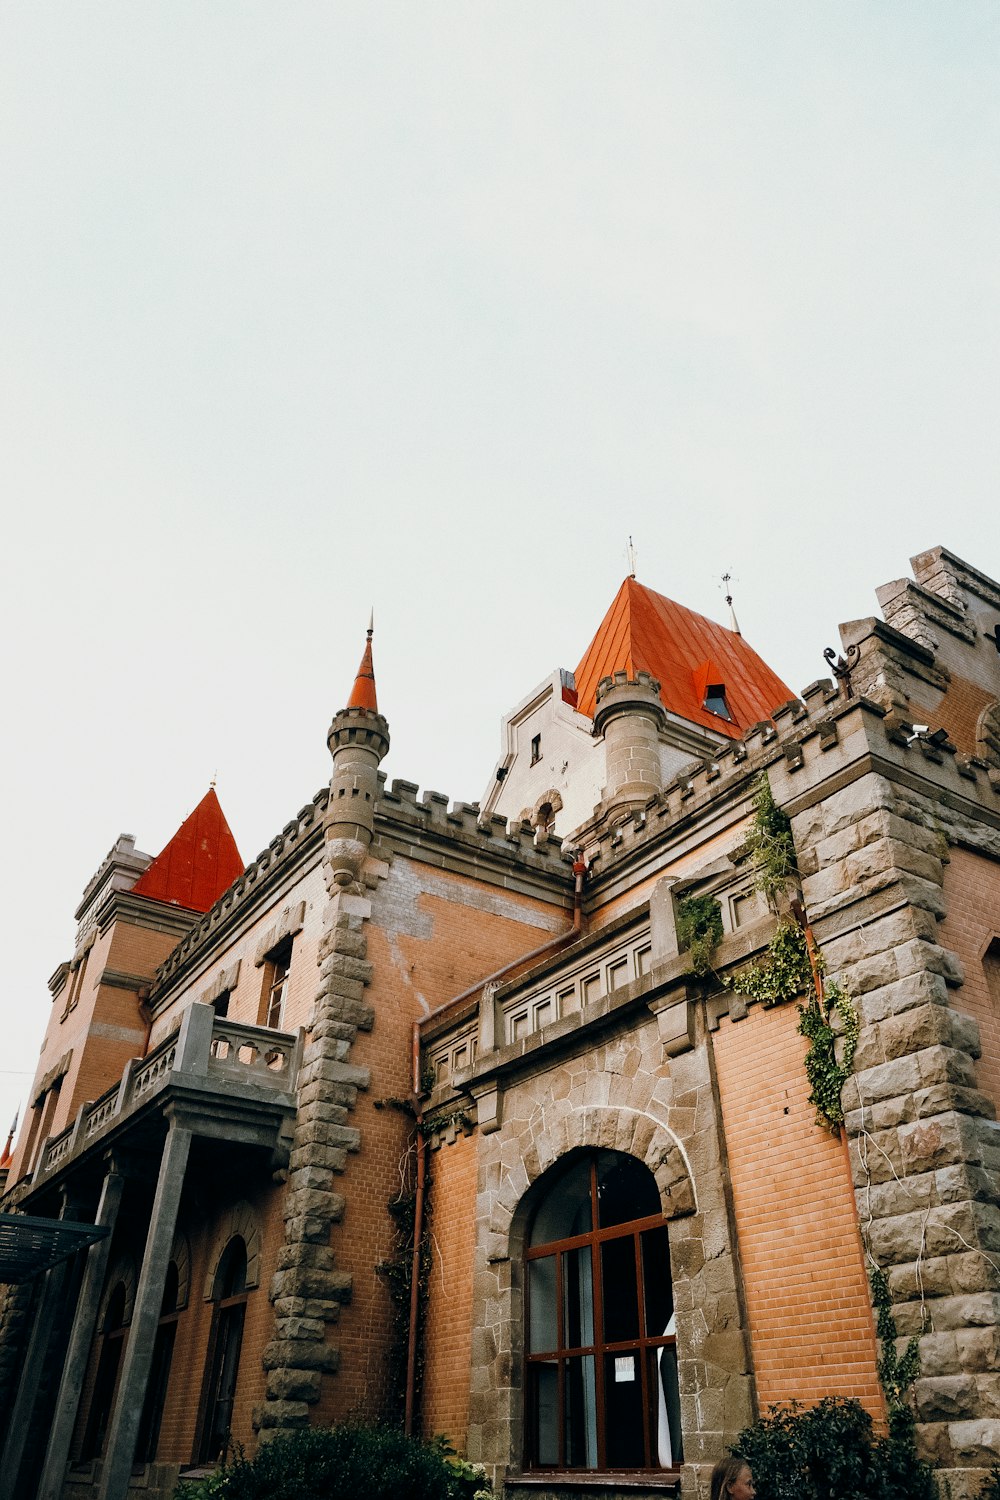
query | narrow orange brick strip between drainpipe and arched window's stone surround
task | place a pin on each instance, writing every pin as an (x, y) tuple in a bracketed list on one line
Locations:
[(449, 1327)]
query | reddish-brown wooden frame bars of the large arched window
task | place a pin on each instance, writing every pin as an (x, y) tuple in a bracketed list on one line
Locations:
[(642, 1348)]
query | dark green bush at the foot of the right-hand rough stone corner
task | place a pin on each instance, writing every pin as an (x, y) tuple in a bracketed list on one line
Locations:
[(831, 1453)]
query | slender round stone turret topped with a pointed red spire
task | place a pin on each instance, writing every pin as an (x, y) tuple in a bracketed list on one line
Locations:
[(359, 740)]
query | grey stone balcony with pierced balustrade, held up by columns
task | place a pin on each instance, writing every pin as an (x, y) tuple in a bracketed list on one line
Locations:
[(233, 1082)]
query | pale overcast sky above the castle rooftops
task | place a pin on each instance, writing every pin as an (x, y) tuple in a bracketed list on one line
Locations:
[(316, 308)]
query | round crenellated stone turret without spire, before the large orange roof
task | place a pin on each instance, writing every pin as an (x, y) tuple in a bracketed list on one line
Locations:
[(630, 716)]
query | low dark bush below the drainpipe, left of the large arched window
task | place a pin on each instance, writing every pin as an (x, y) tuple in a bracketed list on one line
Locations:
[(344, 1463)]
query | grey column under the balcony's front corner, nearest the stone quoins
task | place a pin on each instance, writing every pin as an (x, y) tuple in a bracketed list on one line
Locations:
[(149, 1298)]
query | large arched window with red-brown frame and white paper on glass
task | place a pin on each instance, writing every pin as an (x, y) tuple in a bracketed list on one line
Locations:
[(602, 1376)]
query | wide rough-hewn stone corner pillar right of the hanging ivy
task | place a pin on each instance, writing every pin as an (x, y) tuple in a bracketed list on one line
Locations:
[(924, 1147)]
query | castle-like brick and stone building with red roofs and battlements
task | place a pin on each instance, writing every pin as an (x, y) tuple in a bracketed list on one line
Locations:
[(494, 1118)]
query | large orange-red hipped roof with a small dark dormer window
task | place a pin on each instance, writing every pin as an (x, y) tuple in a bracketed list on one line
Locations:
[(645, 632)]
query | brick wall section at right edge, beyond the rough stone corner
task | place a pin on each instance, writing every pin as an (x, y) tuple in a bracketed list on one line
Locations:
[(972, 887)]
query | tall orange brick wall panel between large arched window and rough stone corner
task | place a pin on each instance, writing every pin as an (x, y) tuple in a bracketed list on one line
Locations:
[(807, 1295)]
